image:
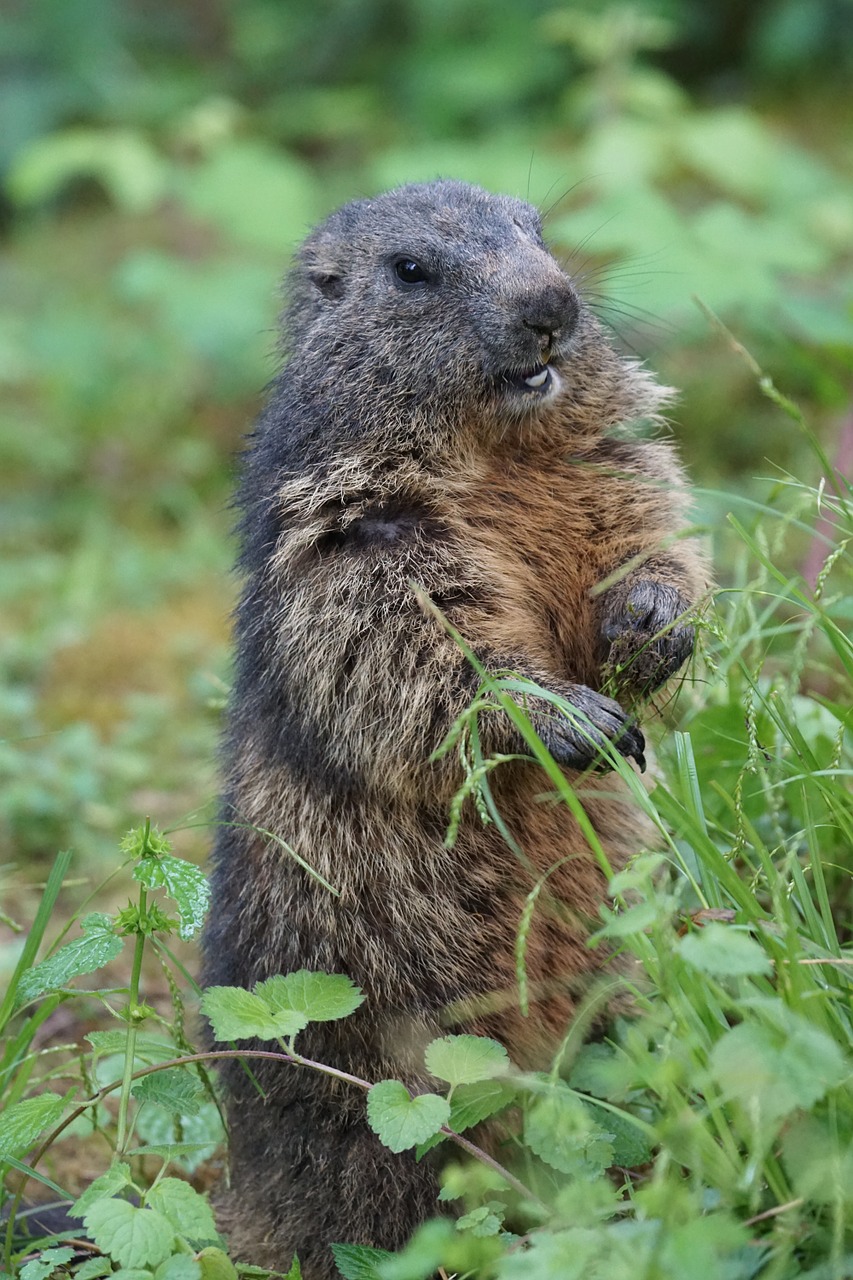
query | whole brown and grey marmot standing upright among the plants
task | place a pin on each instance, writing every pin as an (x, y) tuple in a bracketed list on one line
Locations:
[(450, 415)]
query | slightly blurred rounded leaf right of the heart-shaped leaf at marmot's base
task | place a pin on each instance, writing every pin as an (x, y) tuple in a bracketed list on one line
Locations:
[(559, 1130)]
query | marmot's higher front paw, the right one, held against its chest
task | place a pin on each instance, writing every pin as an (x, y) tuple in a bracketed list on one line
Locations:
[(646, 643)]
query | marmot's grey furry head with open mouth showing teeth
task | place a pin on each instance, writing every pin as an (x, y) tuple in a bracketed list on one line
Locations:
[(441, 303)]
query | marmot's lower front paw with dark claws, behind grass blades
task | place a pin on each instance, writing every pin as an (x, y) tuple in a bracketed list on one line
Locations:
[(577, 743)]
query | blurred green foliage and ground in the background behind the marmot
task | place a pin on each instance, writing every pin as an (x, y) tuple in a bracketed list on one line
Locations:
[(159, 162)]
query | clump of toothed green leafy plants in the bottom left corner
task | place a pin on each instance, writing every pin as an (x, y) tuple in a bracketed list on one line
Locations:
[(130, 1226)]
